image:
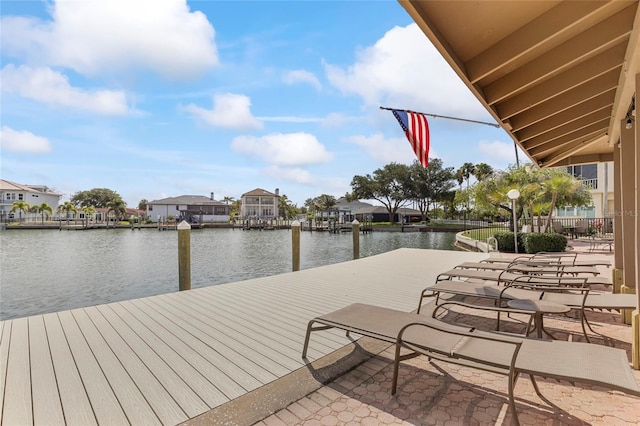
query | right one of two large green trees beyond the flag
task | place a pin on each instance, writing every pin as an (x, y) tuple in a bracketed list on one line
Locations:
[(428, 185)]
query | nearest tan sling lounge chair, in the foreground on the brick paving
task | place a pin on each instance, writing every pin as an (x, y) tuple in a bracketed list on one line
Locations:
[(489, 351)]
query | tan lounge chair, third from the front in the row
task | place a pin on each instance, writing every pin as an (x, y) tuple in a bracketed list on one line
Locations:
[(502, 277)]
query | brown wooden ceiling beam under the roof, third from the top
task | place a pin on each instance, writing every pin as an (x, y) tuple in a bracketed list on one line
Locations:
[(556, 86)]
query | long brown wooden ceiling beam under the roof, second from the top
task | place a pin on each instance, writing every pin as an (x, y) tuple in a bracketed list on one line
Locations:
[(599, 38)]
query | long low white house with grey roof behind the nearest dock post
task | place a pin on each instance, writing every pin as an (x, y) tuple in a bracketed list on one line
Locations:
[(192, 208)]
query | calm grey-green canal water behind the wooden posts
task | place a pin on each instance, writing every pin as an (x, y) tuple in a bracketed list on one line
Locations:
[(46, 270)]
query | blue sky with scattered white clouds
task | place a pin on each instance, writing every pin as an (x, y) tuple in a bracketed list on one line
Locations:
[(161, 98)]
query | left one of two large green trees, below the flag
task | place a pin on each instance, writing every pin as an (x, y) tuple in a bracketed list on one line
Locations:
[(388, 185)]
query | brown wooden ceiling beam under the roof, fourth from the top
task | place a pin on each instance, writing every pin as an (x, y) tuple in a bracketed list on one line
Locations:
[(606, 83)]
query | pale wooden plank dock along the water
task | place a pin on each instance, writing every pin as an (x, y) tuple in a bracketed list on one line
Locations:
[(169, 358)]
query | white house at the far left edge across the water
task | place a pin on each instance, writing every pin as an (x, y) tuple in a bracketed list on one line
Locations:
[(34, 195)]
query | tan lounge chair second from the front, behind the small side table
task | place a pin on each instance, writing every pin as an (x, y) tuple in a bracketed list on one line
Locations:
[(575, 298)]
